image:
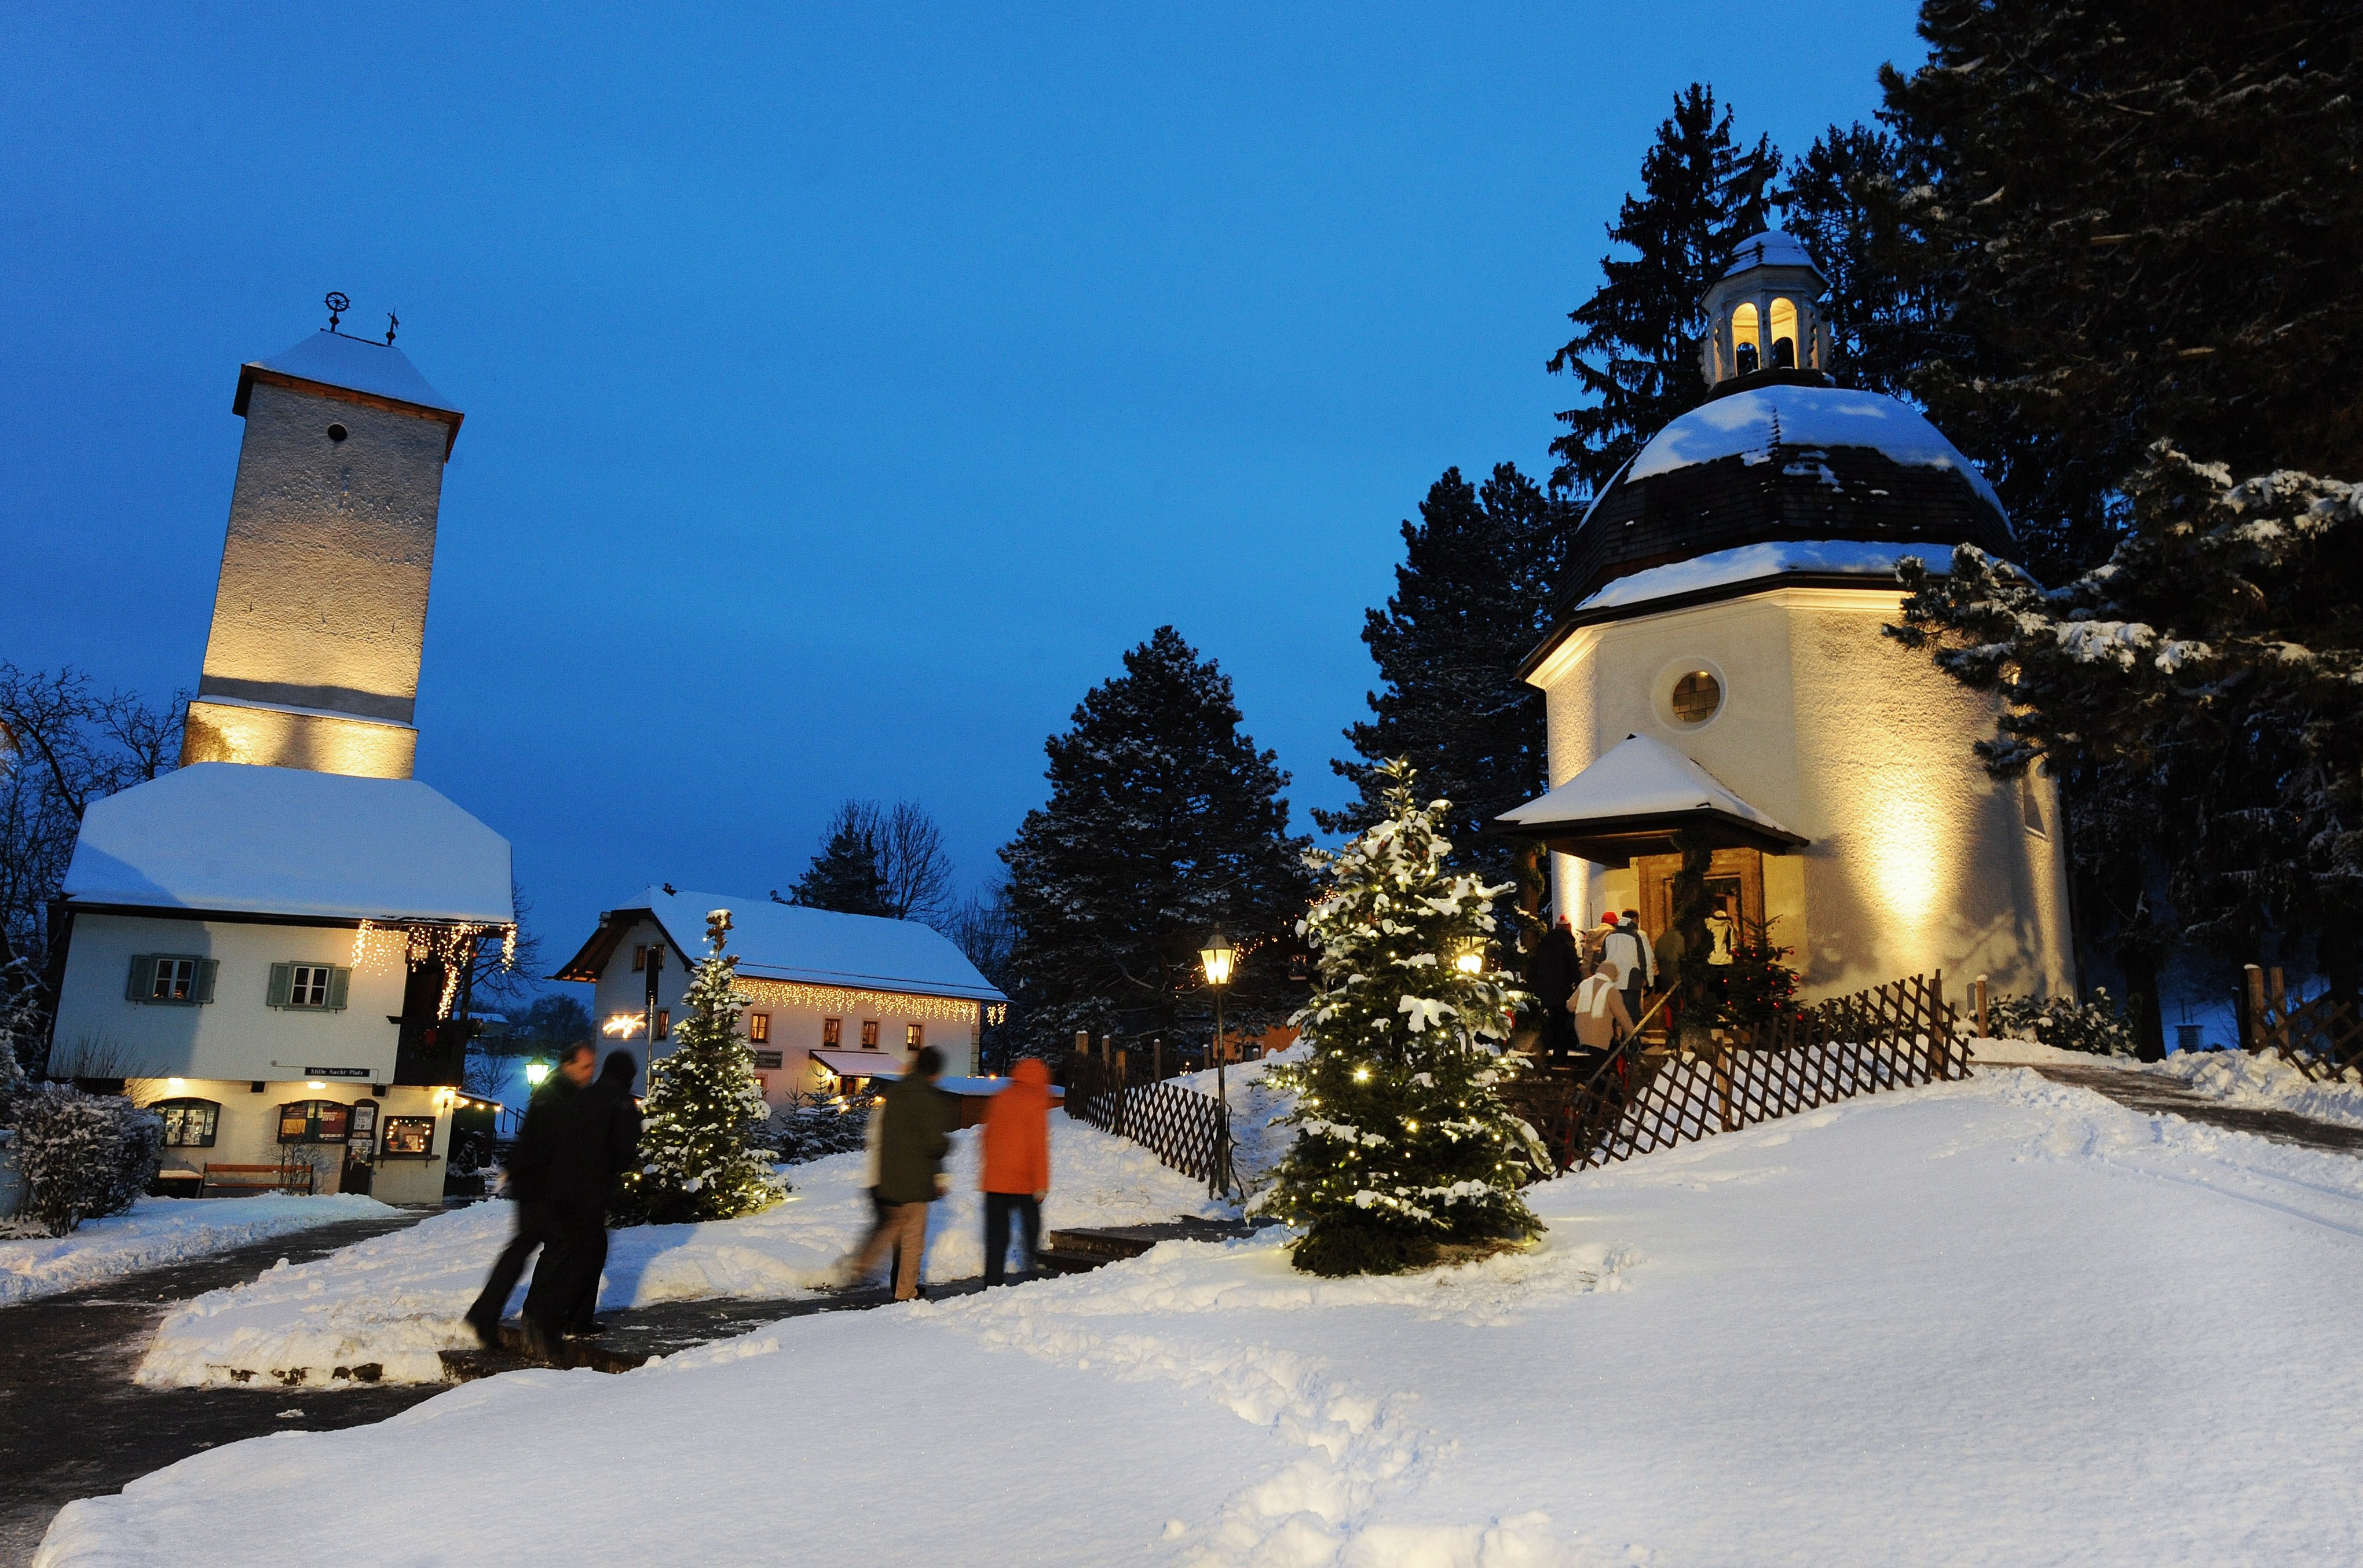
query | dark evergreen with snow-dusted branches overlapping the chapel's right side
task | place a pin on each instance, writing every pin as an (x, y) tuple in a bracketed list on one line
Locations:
[(2208, 686)]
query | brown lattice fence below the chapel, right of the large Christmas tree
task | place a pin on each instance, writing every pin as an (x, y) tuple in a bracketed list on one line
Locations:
[(1651, 1097)]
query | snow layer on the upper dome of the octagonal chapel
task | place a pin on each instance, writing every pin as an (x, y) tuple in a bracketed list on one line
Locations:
[(1799, 422)]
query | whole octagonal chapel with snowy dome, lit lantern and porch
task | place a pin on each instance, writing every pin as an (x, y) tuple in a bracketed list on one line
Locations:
[(1717, 665)]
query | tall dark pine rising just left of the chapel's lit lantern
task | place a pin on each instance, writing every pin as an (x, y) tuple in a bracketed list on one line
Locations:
[(1636, 348)]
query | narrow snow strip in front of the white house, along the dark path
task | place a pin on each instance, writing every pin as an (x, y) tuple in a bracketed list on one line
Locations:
[(162, 1231)]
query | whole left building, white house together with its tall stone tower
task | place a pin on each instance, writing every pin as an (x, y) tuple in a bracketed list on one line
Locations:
[(263, 946)]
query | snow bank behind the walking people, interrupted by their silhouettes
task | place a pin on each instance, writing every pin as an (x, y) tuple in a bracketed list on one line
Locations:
[(398, 1300)]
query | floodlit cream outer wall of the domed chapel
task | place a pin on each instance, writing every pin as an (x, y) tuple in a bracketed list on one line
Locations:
[(1918, 861)]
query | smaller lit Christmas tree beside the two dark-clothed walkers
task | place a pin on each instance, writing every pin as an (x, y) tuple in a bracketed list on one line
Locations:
[(703, 1116)]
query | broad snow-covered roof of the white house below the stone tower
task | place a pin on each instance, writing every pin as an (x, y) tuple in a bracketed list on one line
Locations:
[(240, 839)]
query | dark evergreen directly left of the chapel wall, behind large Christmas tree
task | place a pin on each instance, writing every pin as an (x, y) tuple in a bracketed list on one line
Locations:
[(1471, 601)]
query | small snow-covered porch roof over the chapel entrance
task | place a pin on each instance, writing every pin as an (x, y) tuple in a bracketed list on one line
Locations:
[(1634, 802)]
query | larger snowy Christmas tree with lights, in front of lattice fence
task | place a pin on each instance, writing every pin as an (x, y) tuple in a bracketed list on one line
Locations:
[(1405, 1146)]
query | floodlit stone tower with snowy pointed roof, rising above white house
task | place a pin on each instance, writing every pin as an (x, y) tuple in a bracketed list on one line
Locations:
[(320, 618)]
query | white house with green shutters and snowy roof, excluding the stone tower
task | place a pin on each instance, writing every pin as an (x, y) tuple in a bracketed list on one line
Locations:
[(261, 955)]
